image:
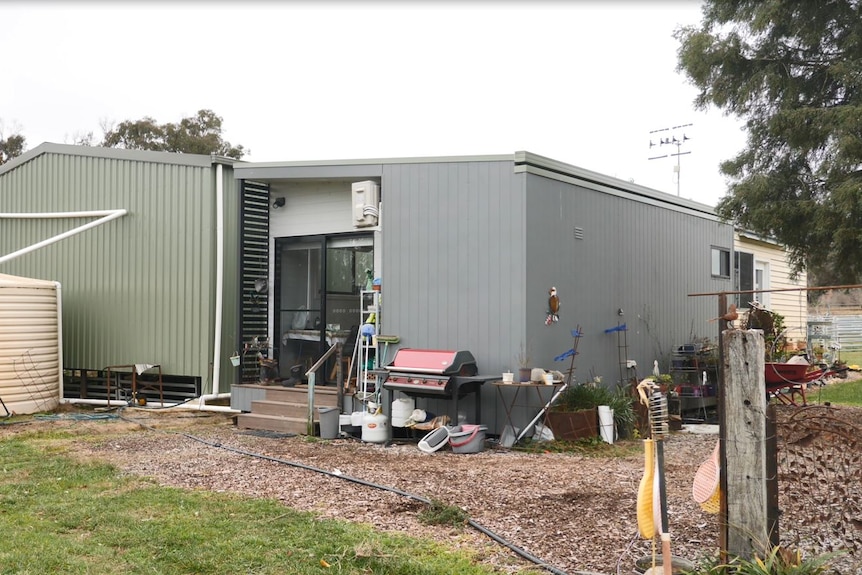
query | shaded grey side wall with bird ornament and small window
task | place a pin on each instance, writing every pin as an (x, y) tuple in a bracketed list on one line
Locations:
[(607, 252)]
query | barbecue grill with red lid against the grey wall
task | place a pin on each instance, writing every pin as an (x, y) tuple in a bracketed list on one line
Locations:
[(441, 374)]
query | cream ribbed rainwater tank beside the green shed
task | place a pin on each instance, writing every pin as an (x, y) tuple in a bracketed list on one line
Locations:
[(30, 345)]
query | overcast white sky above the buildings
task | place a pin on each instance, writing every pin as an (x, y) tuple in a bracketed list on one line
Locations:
[(582, 82)]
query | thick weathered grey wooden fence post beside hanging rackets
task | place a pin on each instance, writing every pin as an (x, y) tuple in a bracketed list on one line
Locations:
[(744, 468)]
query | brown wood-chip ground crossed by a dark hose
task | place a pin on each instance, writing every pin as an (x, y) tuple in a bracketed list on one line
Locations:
[(576, 513)]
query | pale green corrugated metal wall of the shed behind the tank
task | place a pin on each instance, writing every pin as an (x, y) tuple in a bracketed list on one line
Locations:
[(139, 289)]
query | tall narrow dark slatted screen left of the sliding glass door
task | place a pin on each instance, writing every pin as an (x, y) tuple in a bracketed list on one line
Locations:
[(254, 267)]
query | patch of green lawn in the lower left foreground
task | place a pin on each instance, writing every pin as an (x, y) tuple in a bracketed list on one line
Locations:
[(61, 516)]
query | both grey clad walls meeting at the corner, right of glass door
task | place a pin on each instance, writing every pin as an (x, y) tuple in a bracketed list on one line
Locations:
[(470, 250)]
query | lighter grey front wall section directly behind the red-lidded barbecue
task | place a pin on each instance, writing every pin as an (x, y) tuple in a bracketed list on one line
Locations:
[(453, 258)]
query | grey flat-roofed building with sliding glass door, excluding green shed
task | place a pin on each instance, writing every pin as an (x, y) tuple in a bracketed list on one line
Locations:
[(467, 248)]
